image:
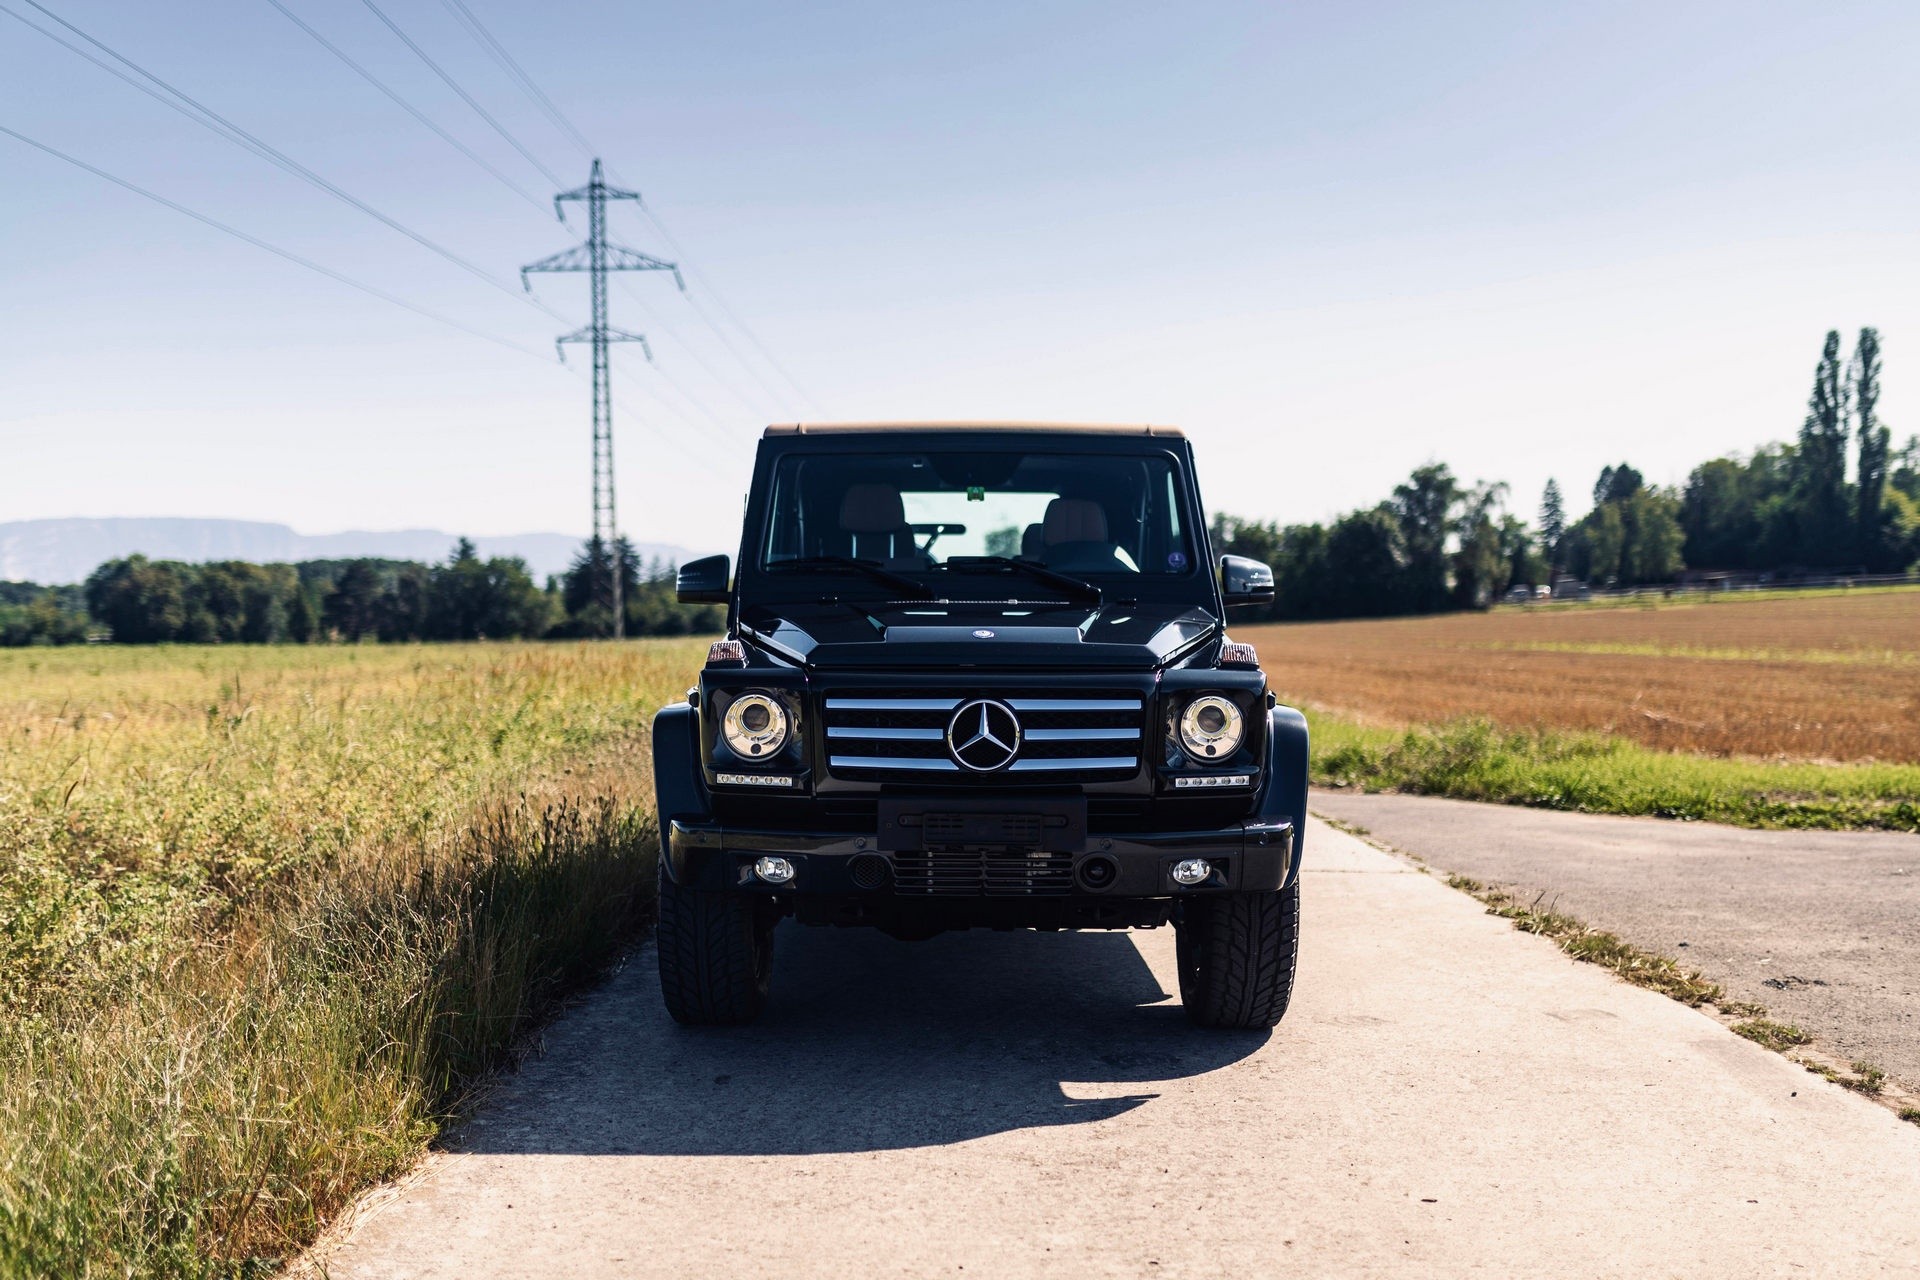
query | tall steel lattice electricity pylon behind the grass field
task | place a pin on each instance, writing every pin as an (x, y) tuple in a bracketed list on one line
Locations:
[(598, 258)]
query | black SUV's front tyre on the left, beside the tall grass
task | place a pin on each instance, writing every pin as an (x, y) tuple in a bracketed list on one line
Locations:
[(717, 957)]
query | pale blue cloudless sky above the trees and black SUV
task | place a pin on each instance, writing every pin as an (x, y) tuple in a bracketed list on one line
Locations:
[(1333, 241)]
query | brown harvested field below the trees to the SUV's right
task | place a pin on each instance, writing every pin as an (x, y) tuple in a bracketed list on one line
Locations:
[(1831, 678)]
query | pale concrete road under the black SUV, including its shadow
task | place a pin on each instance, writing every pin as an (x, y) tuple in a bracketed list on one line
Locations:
[(1449, 1097)]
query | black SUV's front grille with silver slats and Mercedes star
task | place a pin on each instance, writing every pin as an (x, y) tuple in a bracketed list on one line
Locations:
[(1093, 734)]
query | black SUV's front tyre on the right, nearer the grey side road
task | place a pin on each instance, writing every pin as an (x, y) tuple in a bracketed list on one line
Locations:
[(1237, 957)]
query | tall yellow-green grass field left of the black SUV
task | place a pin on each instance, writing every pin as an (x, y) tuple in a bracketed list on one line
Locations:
[(268, 941)]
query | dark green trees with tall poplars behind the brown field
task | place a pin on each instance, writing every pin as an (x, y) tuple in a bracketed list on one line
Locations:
[(1838, 500)]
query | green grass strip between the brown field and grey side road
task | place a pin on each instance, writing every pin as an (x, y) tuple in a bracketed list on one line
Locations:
[(1596, 774)]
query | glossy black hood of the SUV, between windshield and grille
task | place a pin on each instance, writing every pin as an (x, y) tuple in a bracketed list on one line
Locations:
[(844, 634)]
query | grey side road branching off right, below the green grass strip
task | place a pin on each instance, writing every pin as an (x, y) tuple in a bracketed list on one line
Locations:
[(1823, 928)]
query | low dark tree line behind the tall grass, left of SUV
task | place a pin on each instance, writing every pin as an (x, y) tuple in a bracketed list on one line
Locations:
[(141, 602)]
